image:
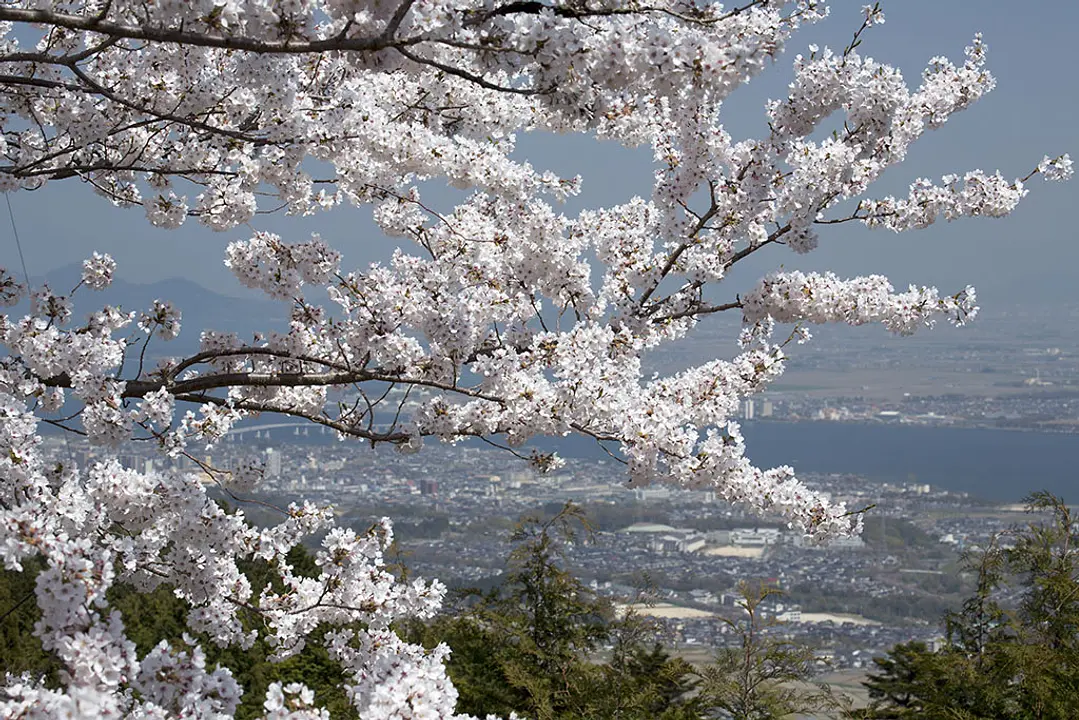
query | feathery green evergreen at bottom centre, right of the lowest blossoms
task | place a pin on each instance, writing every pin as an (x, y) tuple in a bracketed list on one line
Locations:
[(537, 644)]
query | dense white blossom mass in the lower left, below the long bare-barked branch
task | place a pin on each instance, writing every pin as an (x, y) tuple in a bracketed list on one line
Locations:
[(174, 534)]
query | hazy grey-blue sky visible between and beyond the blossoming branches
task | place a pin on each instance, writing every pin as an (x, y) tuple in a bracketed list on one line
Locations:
[(1029, 259)]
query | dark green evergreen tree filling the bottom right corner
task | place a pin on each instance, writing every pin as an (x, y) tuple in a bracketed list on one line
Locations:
[(1017, 661)]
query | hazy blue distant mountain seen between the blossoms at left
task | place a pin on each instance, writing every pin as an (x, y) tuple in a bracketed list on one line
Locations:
[(202, 308)]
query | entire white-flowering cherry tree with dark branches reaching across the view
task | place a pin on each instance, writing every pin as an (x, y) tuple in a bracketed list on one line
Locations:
[(508, 318)]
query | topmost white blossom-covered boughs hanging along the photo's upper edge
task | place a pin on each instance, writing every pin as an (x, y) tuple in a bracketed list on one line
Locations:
[(235, 97)]
